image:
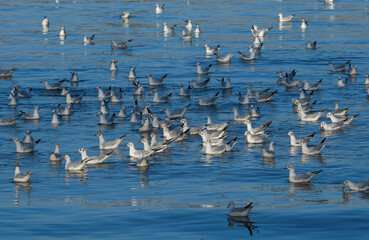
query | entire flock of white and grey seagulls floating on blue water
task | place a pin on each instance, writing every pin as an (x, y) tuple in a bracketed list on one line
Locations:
[(214, 137)]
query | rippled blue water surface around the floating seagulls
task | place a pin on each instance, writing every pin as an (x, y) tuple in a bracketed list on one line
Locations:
[(184, 192)]
